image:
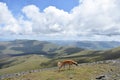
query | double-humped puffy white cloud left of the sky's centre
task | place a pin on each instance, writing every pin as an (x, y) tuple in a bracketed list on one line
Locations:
[(52, 20)]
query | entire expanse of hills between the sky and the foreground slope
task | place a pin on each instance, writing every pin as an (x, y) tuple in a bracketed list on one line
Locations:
[(16, 55)]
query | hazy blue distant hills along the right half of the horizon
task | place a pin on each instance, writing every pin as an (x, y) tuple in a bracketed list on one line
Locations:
[(94, 45)]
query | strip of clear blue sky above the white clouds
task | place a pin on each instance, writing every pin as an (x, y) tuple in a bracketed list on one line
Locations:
[(16, 5)]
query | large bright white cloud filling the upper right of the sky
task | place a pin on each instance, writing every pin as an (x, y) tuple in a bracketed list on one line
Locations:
[(99, 15)]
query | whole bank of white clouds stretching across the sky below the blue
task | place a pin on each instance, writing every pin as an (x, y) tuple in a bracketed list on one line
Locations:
[(90, 20)]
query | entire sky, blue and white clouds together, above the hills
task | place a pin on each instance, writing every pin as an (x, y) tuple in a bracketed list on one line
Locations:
[(93, 20)]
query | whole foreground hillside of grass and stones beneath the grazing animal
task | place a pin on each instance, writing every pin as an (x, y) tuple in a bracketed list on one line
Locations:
[(82, 72)]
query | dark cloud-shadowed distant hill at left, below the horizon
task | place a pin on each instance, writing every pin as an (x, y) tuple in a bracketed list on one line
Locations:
[(26, 47)]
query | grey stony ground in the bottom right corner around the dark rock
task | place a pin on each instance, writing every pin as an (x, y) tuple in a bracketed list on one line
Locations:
[(112, 74)]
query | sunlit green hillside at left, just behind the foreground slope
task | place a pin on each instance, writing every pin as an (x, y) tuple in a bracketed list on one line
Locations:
[(21, 63)]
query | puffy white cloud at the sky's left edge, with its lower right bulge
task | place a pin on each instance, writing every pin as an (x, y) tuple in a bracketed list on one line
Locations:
[(10, 25)]
